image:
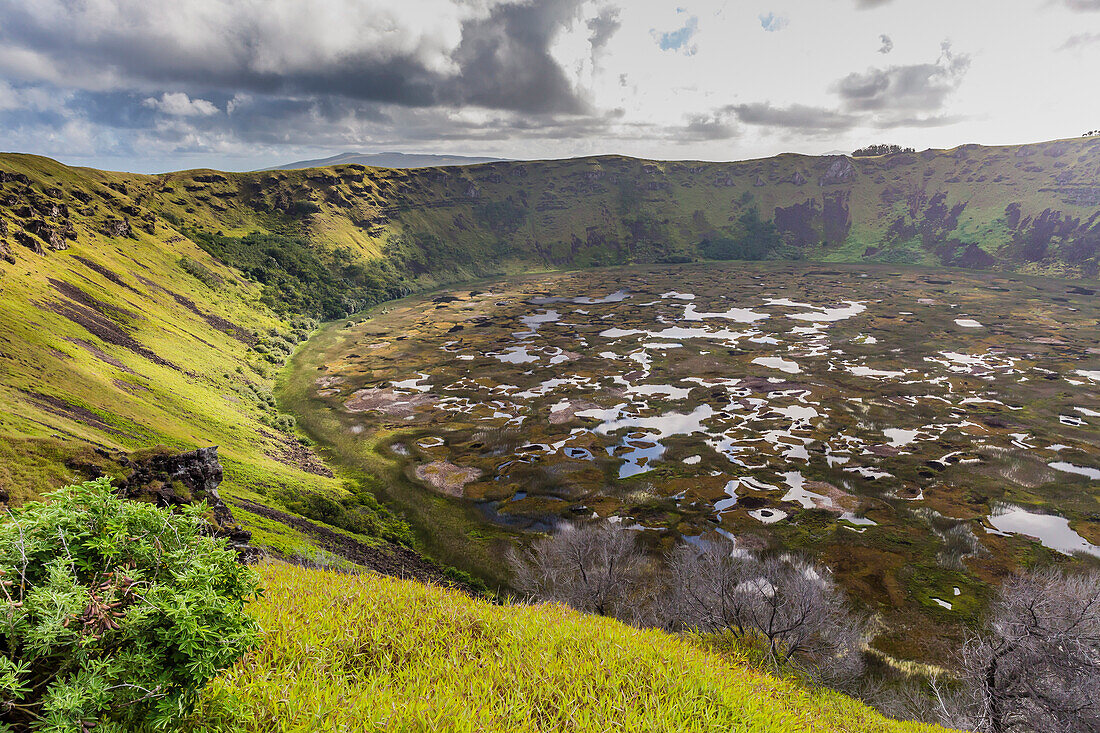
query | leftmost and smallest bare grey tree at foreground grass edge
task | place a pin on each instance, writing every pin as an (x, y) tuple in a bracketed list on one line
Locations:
[(592, 568)]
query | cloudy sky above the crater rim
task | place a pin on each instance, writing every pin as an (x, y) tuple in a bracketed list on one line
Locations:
[(159, 85)]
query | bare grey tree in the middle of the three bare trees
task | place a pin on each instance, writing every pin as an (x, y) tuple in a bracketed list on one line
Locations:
[(793, 607)]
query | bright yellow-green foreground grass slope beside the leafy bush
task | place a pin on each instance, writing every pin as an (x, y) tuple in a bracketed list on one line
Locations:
[(355, 653)]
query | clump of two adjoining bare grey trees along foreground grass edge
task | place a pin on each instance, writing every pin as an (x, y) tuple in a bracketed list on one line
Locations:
[(786, 609)]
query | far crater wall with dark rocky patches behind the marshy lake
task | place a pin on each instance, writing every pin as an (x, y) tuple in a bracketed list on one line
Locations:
[(1029, 209)]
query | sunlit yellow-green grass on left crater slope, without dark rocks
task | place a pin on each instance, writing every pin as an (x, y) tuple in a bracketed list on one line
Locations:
[(109, 396)]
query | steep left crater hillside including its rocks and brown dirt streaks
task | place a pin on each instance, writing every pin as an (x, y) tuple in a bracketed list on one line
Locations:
[(118, 334)]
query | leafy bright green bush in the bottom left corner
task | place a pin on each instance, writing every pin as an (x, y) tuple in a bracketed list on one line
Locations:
[(114, 615)]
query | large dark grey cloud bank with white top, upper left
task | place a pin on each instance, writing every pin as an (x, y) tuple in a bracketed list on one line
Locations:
[(502, 62)]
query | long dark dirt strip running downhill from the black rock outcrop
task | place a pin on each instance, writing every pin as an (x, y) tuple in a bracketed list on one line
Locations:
[(388, 560)]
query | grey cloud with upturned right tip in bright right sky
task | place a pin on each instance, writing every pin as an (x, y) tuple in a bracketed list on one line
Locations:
[(917, 87)]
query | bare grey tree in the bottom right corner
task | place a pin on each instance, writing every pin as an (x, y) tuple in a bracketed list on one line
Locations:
[(1037, 665)]
